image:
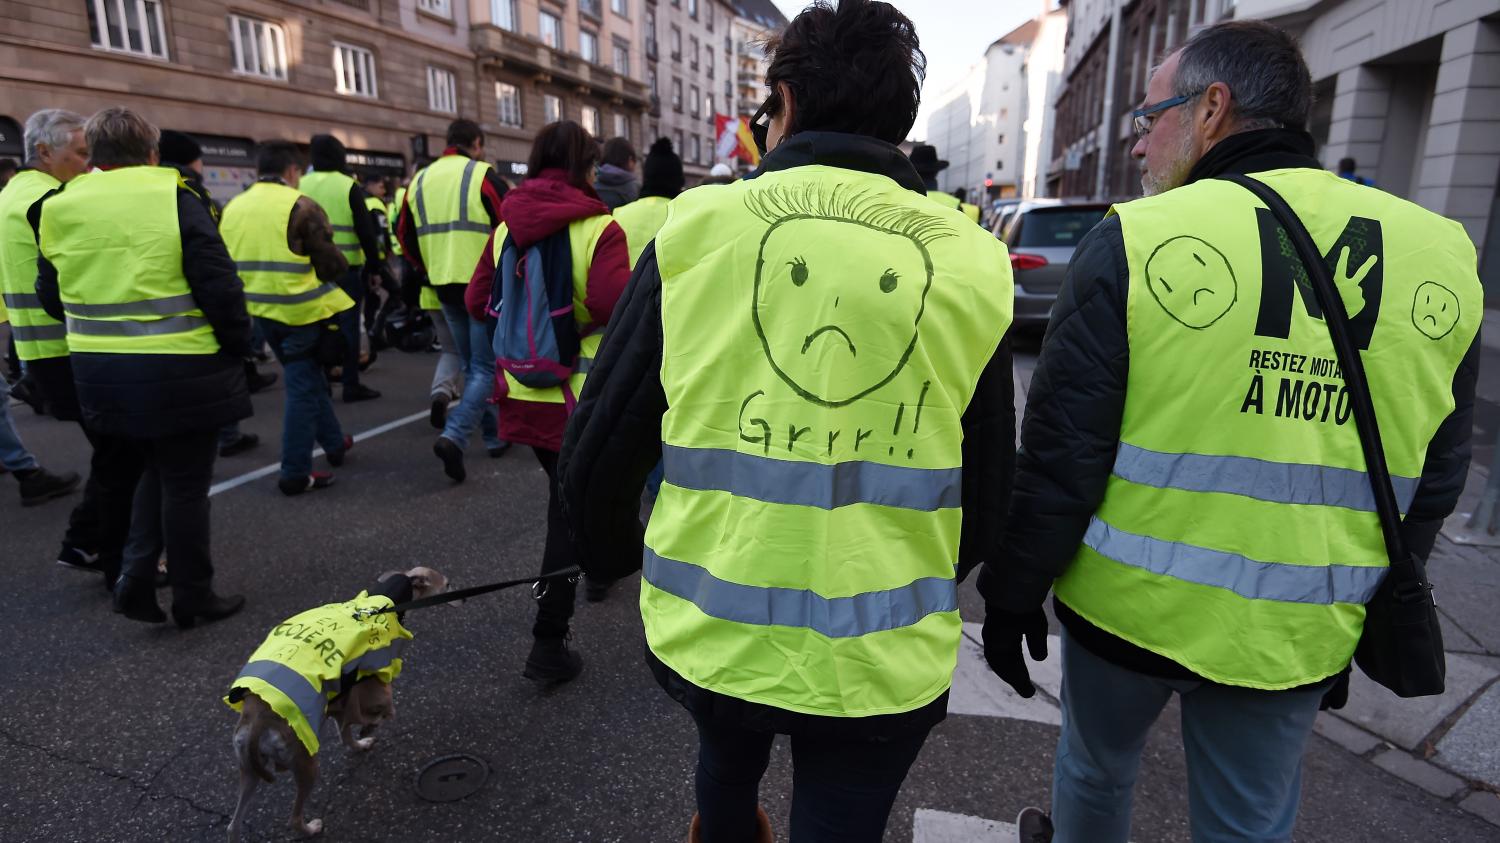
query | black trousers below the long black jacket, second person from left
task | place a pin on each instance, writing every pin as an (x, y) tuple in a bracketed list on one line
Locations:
[(175, 506)]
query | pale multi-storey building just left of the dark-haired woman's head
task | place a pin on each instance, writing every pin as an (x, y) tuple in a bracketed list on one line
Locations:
[(688, 65)]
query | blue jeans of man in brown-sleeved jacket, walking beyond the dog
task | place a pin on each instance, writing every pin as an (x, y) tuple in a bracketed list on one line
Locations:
[(310, 412)]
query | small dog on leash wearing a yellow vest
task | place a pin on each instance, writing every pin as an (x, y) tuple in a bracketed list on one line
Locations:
[(337, 661)]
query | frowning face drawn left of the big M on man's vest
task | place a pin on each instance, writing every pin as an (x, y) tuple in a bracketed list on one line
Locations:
[(1192, 281)]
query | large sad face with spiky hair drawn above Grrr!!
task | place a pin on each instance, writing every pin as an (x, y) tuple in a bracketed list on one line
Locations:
[(841, 286)]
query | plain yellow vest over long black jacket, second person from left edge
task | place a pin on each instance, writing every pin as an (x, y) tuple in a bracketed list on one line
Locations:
[(118, 248)]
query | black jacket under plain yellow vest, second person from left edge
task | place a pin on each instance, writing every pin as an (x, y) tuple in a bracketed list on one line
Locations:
[(163, 395)]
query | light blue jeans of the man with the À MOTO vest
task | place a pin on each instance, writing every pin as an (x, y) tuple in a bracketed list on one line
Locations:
[(1244, 752)]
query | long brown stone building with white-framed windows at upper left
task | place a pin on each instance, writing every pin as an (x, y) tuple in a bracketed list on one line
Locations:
[(383, 76)]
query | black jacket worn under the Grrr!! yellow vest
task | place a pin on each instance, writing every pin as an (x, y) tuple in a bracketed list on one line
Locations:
[(616, 439)]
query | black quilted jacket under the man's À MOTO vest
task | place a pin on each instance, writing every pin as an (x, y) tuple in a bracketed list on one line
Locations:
[(1078, 398)]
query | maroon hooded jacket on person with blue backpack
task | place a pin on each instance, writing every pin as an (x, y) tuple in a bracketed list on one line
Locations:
[(542, 206)]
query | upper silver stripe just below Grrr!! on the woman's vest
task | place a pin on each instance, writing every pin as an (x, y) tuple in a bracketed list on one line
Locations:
[(811, 484)]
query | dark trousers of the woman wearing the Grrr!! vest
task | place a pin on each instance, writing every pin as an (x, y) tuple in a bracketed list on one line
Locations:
[(842, 790)]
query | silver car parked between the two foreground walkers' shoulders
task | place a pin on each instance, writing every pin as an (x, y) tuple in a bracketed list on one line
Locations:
[(1042, 236)]
